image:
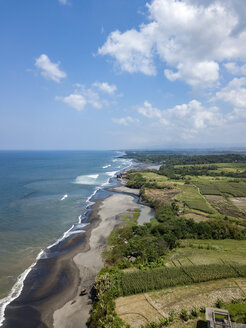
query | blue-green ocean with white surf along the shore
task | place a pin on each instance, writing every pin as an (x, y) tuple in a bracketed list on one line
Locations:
[(44, 198)]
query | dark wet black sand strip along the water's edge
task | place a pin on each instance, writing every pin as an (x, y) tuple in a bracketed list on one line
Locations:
[(50, 283)]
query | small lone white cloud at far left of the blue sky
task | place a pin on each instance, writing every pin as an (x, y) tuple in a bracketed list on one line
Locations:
[(49, 70)]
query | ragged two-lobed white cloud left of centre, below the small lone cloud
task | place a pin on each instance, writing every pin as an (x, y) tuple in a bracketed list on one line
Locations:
[(83, 96)]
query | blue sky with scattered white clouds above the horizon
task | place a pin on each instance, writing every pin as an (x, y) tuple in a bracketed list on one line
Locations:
[(122, 74)]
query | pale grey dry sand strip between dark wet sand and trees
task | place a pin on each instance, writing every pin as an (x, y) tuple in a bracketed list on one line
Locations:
[(76, 311)]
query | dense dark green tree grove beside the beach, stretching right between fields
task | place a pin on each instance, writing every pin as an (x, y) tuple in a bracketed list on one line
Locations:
[(130, 244)]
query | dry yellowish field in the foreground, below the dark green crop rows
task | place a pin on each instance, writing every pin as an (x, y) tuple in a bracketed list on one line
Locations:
[(141, 309)]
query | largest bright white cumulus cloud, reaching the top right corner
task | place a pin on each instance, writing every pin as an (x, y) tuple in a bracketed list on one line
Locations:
[(191, 38)]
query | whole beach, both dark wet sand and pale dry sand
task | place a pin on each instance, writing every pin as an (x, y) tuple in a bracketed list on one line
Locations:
[(57, 292)]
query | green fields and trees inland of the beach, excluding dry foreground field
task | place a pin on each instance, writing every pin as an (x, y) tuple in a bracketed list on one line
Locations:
[(198, 236)]
